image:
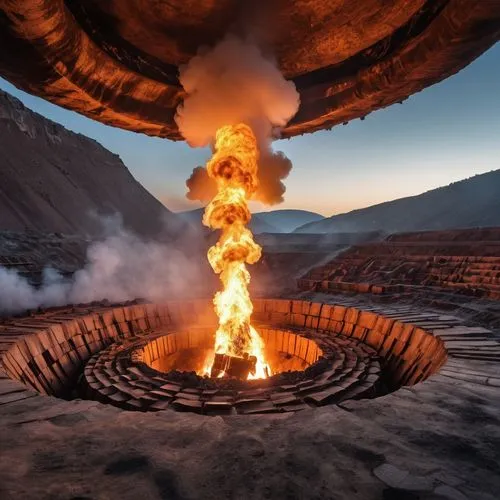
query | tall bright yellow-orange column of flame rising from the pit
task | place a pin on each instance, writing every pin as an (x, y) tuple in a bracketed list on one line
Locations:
[(233, 166)]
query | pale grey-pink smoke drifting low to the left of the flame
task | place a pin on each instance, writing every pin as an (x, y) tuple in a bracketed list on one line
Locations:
[(121, 267)]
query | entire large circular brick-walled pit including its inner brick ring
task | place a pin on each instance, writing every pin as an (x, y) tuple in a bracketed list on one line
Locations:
[(142, 357)]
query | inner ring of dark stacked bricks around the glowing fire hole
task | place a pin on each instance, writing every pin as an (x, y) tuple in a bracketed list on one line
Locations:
[(166, 369)]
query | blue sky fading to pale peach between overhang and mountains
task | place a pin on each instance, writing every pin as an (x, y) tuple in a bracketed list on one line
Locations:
[(445, 133)]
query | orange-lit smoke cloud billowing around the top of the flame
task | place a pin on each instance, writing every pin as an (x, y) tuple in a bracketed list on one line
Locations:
[(229, 84)]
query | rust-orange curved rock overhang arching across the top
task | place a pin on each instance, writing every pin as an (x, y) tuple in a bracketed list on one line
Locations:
[(117, 61)]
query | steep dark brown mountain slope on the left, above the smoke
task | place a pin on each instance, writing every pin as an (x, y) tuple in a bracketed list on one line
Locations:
[(53, 180)]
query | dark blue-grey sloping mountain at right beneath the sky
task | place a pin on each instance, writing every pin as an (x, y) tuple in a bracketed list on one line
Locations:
[(473, 202)]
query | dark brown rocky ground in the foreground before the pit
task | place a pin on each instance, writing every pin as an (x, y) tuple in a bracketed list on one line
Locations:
[(438, 439)]
